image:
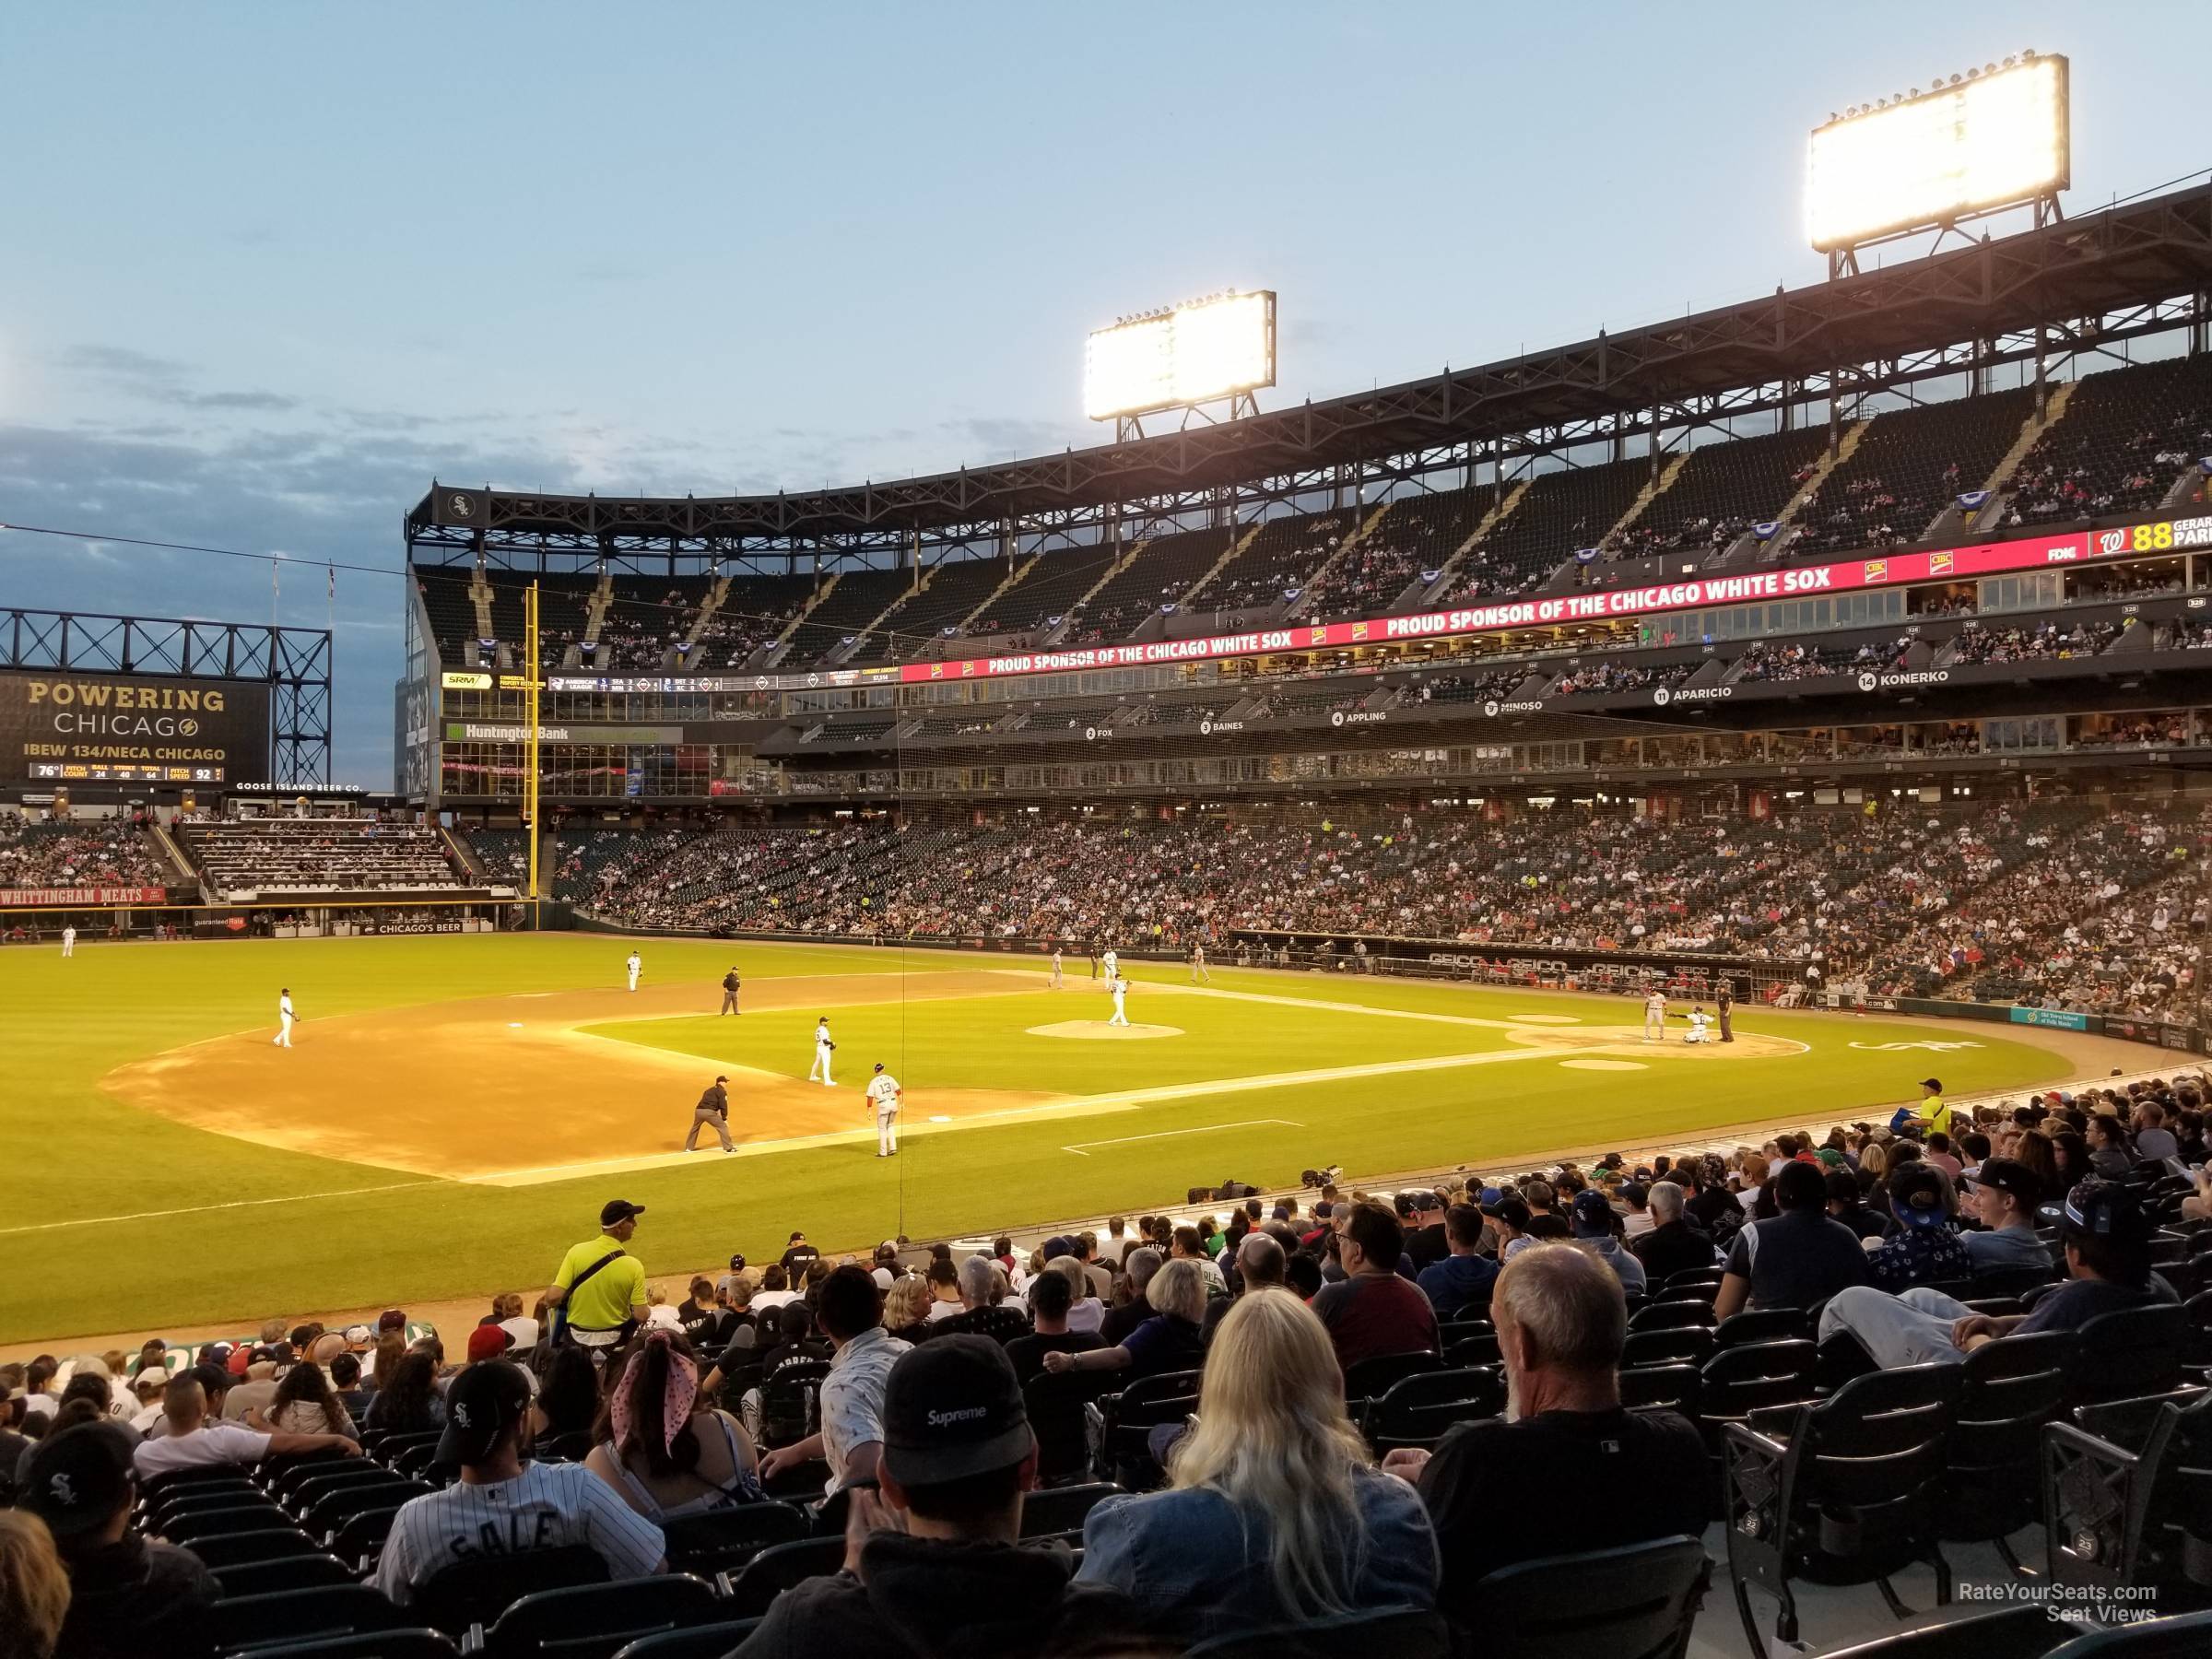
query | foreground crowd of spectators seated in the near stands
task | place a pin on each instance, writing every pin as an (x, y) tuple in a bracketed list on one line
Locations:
[(926, 1399)]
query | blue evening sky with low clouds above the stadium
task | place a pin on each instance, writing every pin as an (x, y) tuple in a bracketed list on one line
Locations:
[(269, 269)]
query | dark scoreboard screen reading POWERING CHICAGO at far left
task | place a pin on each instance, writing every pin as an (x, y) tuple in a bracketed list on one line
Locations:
[(211, 729)]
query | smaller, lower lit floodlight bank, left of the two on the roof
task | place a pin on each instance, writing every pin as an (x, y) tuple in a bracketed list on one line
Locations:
[(1213, 348)]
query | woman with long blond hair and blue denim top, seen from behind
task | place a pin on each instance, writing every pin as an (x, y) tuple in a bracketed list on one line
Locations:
[(1275, 1510)]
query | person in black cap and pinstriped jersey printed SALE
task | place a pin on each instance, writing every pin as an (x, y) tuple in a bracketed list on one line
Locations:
[(508, 1507)]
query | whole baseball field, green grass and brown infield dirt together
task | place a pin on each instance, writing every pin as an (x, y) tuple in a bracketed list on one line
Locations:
[(457, 1109)]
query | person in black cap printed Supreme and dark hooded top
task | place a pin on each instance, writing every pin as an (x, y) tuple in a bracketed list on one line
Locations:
[(935, 1563)]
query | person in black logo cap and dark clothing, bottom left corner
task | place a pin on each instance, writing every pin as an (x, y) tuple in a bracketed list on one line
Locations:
[(125, 1594)]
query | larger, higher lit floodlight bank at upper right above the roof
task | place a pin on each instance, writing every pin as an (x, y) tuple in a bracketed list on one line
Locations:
[(1976, 145)]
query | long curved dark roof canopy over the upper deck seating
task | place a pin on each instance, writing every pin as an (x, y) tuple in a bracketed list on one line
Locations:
[(2060, 289)]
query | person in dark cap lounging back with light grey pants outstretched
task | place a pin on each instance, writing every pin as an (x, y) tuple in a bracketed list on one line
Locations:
[(2107, 1240)]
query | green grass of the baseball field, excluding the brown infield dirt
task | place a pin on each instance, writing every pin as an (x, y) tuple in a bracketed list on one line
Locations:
[(118, 1218)]
